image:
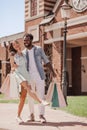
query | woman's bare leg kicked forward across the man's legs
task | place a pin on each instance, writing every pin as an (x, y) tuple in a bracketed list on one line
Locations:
[(29, 91)]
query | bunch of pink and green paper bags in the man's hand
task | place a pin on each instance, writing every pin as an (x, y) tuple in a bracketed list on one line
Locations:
[(55, 95)]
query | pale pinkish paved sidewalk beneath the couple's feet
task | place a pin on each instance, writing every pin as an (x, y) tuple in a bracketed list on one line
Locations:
[(56, 119)]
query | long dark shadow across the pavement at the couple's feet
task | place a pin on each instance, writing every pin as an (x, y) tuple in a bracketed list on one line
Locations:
[(55, 124)]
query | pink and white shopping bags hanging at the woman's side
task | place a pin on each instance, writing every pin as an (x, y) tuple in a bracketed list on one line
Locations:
[(10, 87)]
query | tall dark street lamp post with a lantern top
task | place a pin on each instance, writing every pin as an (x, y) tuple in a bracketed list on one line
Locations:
[(65, 9)]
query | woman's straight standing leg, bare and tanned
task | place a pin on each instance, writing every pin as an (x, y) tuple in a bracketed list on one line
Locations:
[(22, 100)]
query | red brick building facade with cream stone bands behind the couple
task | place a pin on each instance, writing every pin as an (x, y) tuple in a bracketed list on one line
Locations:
[(43, 19)]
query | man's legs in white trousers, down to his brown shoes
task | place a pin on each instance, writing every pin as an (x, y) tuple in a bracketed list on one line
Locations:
[(40, 89)]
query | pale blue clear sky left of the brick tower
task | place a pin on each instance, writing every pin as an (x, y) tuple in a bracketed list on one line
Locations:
[(11, 17)]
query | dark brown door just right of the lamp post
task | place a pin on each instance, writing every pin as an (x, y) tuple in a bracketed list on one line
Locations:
[(76, 71)]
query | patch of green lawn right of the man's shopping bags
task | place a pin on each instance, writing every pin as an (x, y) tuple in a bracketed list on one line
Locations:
[(77, 105)]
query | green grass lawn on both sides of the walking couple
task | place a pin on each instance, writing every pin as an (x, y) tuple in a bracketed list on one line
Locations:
[(77, 105)]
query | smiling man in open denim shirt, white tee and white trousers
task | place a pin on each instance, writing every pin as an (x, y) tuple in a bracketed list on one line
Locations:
[(35, 55)]
